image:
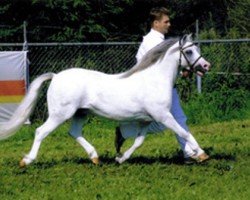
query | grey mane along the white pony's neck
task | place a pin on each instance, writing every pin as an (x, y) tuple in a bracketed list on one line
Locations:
[(151, 57)]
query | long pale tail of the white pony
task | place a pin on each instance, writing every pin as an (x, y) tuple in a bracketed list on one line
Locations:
[(26, 107)]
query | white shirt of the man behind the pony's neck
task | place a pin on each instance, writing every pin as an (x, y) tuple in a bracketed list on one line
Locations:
[(152, 39)]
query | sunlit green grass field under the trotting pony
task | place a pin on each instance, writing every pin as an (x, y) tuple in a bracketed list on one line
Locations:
[(155, 171)]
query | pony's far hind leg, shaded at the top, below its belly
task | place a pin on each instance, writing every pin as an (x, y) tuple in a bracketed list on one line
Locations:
[(76, 132)]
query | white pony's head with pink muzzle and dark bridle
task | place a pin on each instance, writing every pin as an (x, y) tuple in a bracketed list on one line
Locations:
[(190, 57)]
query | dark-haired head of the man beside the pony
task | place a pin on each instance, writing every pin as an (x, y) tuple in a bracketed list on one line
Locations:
[(159, 19)]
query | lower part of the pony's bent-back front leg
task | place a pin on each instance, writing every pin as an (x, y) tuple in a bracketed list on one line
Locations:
[(138, 142)]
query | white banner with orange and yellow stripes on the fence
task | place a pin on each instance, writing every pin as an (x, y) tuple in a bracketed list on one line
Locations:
[(13, 75)]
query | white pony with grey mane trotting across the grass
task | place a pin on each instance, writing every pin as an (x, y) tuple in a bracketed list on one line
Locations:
[(143, 93)]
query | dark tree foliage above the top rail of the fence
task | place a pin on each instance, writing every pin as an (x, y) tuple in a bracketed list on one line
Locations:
[(124, 20)]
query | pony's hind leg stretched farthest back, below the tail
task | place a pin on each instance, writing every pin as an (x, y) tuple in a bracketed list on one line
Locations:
[(40, 134)]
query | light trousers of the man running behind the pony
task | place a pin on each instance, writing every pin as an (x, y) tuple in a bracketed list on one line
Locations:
[(132, 129)]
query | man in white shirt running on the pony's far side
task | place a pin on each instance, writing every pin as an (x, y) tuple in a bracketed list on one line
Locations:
[(160, 24)]
